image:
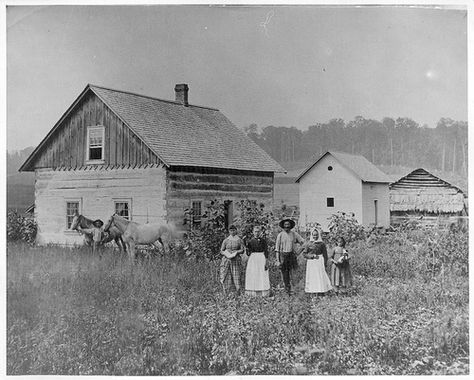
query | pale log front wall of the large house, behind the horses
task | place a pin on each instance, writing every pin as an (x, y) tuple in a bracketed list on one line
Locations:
[(96, 190)]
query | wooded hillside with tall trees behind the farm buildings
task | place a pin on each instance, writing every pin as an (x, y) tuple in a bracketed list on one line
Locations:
[(394, 145)]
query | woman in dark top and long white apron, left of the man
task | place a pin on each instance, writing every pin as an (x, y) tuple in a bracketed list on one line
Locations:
[(257, 281)]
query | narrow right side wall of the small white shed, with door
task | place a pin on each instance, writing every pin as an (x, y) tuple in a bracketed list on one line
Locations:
[(379, 192)]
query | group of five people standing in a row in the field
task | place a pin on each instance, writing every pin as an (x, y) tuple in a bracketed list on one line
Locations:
[(257, 281)]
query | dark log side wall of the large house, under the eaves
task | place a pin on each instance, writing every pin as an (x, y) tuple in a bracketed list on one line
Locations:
[(185, 185)]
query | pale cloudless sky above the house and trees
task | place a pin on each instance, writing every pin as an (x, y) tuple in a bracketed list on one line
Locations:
[(269, 65)]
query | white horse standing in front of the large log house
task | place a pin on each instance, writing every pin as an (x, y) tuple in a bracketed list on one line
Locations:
[(134, 233)]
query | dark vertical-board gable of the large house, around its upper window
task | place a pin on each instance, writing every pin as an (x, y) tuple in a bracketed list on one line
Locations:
[(67, 146)]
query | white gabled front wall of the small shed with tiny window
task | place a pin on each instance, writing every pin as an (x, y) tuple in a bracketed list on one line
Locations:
[(319, 183)]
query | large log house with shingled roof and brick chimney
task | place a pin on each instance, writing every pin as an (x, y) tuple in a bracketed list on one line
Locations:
[(147, 159)]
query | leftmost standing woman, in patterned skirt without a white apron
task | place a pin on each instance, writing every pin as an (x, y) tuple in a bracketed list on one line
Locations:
[(231, 249)]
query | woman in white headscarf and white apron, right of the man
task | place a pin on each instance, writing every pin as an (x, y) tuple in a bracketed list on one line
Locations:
[(317, 280)]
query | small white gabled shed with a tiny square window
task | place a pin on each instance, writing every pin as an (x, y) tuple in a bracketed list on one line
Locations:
[(347, 183)]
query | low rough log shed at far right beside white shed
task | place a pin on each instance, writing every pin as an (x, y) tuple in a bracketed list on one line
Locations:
[(421, 194)]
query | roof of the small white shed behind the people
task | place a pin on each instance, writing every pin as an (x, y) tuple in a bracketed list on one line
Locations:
[(359, 165)]
